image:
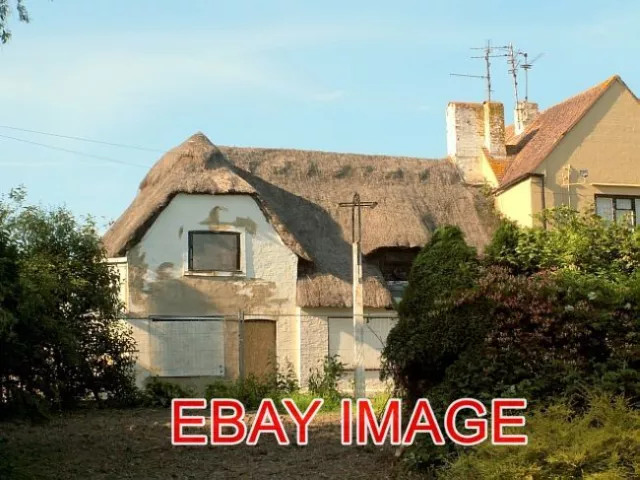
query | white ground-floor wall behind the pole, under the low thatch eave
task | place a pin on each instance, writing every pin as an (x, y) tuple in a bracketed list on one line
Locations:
[(315, 332)]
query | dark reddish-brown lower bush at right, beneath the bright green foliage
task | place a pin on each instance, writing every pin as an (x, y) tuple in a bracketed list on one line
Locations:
[(538, 337)]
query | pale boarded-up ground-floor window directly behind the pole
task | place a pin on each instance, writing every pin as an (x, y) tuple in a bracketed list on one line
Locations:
[(375, 334)]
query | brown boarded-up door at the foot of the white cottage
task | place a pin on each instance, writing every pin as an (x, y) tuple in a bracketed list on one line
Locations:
[(259, 347)]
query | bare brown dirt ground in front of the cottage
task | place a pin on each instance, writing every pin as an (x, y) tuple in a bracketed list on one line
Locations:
[(136, 444)]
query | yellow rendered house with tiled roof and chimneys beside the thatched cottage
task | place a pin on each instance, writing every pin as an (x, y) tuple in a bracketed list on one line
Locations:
[(583, 152)]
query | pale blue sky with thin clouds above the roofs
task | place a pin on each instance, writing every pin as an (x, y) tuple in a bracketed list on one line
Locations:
[(354, 76)]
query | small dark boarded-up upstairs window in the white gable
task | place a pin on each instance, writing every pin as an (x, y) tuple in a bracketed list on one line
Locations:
[(214, 251)]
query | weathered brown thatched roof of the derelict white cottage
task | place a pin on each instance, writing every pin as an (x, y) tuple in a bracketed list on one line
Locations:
[(299, 191)]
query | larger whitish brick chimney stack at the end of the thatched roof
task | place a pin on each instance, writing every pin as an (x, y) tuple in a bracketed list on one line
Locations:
[(472, 127)]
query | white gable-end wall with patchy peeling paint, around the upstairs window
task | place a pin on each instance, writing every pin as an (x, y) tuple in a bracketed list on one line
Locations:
[(161, 285)]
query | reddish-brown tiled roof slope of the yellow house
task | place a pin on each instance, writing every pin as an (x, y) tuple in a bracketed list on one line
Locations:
[(531, 147)]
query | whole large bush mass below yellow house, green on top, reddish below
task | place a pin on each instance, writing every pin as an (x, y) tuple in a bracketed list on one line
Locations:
[(552, 319)]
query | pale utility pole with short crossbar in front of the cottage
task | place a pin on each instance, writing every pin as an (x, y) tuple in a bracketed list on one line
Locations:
[(358, 294)]
